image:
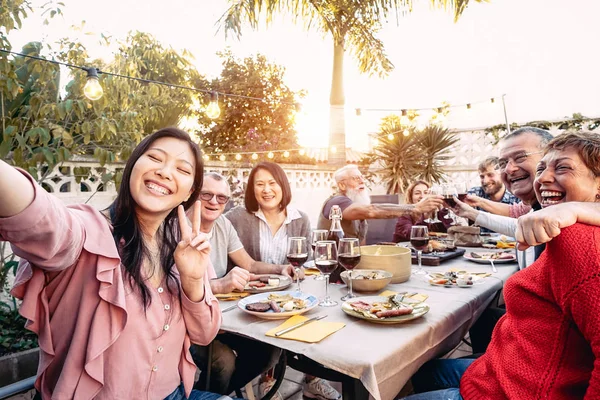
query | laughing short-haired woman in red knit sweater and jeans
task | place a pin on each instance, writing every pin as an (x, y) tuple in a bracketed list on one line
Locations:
[(548, 343)]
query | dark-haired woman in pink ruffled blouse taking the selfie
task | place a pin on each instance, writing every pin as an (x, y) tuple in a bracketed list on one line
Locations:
[(116, 297)]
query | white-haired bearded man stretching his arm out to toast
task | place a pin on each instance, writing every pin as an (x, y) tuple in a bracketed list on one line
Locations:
[(355, 203)]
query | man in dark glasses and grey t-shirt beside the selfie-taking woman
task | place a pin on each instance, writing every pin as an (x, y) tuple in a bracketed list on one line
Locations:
[(235, 360)]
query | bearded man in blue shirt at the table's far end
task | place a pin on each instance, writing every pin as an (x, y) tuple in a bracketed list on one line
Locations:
[(492, 187)]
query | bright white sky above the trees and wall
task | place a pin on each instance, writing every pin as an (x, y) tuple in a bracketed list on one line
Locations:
[(542, 54)]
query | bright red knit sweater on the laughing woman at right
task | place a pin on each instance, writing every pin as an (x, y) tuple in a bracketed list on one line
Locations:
[(547, 345)]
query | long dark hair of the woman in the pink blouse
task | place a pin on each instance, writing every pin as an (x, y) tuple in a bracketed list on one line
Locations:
[(127, 231)]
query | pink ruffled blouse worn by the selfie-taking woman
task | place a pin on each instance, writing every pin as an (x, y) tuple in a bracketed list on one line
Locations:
[(95, 339)]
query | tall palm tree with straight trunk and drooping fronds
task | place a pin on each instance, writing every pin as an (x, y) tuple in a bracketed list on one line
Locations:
[(352, 24)]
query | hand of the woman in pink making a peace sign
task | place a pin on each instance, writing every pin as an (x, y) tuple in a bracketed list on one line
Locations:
[(192, 254)]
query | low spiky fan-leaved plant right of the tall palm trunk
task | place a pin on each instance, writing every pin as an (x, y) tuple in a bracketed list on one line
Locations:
[(402, 159)]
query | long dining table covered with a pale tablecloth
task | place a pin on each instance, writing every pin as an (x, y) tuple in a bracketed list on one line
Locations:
[(377, 360)]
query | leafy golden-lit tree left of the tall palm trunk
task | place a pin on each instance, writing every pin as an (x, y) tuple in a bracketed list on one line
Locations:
[(247, 125)]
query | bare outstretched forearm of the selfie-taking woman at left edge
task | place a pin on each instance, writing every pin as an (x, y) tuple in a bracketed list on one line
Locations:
[(16, 191)]
